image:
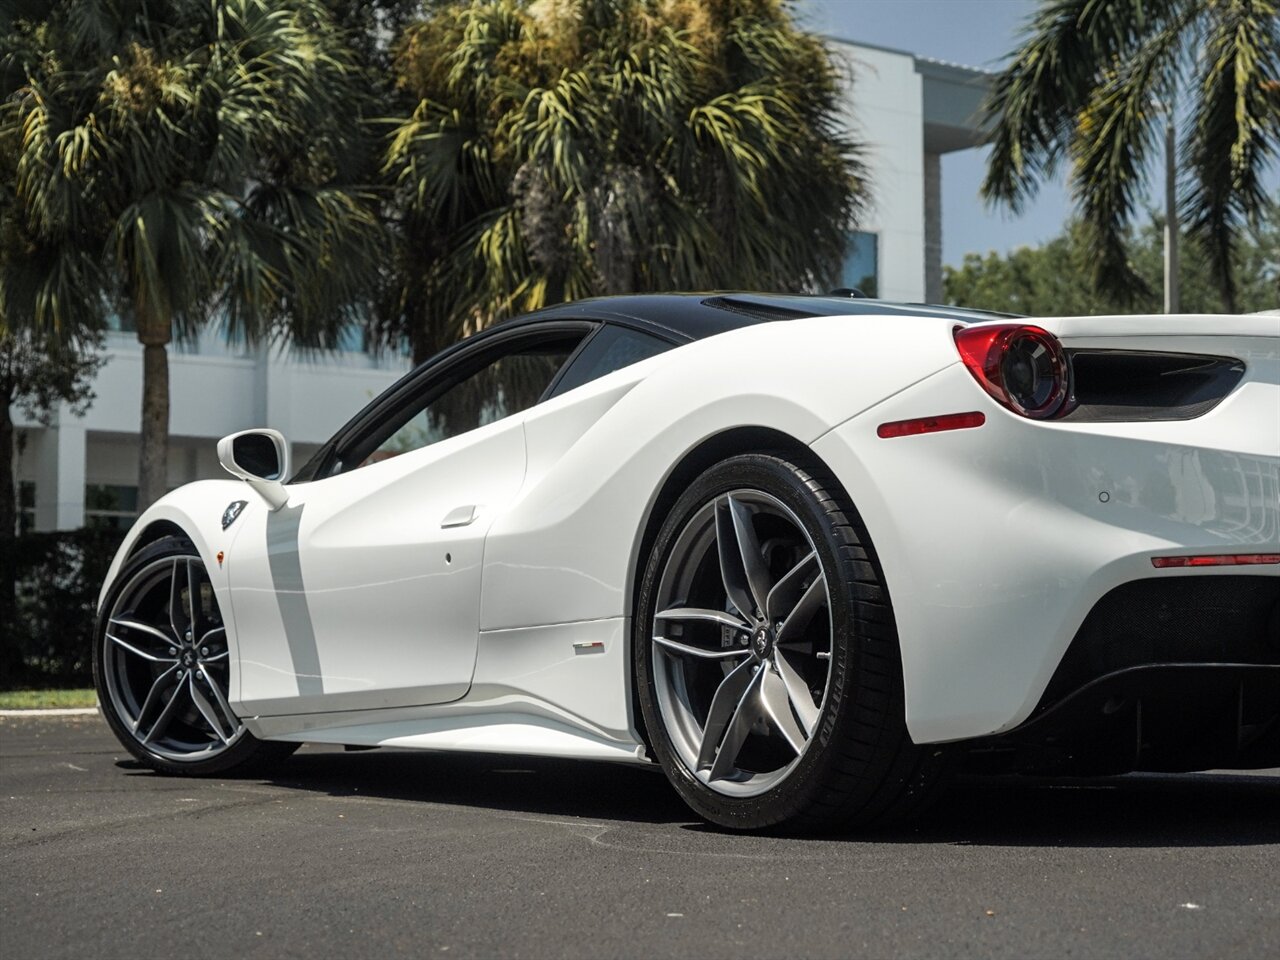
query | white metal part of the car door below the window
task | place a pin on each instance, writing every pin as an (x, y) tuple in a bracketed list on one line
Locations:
[(355, 597)]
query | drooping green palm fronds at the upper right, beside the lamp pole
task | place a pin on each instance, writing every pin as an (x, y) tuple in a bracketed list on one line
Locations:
[(1092, 83)]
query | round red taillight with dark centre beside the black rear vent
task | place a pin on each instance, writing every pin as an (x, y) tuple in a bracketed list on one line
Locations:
[(1021, 365)]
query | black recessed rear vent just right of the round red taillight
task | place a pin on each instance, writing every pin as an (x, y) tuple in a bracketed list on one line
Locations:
[(1131, 386)]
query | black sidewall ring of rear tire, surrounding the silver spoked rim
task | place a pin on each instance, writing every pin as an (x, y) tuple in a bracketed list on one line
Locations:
[(788, 483)]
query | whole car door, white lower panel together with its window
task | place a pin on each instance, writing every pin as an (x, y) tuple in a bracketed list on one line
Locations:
[(364, 591)]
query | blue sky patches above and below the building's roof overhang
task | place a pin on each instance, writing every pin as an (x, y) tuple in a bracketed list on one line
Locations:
[(973, 34)]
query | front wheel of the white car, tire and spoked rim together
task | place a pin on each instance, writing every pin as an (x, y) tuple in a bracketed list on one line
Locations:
[(163, 666)]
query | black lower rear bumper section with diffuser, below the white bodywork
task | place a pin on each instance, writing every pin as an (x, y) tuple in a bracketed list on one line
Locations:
[(1164, 675)]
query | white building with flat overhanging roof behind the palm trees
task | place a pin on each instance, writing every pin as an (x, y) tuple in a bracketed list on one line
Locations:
[(908, 111)]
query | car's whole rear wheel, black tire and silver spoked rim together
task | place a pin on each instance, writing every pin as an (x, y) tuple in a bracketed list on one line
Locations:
[(767, 660)]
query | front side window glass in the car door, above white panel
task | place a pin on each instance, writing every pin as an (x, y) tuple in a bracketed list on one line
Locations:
[(499, 387)]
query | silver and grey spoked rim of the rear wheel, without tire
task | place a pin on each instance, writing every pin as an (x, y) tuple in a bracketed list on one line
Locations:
[(742, 643)]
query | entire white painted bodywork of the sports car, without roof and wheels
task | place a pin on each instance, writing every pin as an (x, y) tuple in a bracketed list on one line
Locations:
[(995, 542)]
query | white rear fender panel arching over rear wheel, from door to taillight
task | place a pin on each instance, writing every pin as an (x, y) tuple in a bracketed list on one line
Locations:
[(568, 547)]
